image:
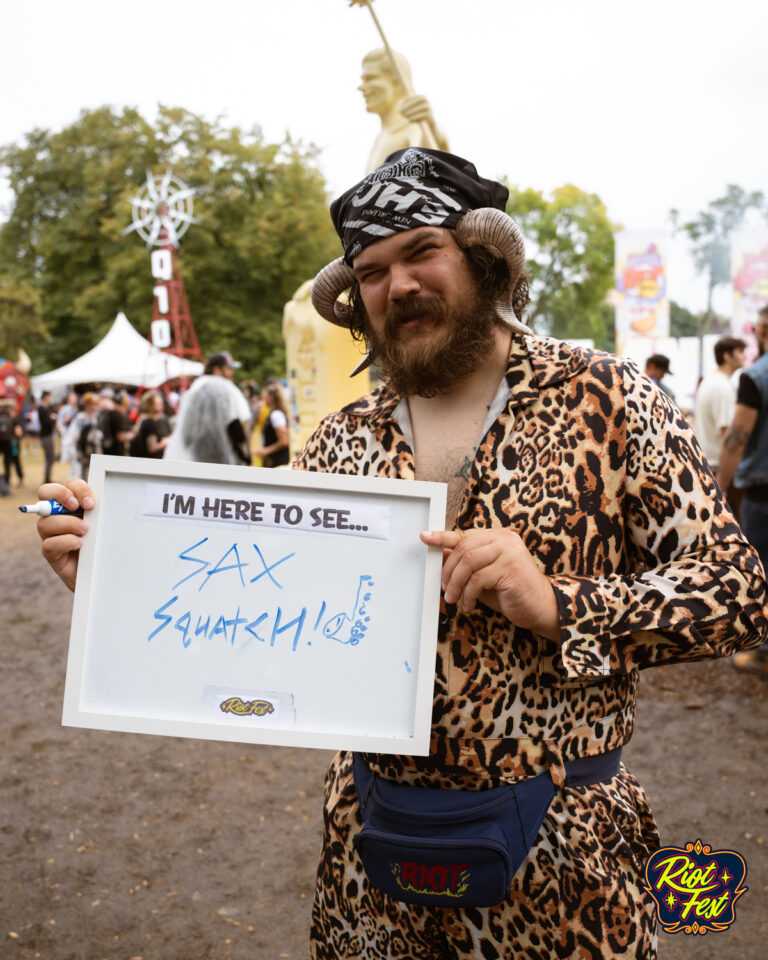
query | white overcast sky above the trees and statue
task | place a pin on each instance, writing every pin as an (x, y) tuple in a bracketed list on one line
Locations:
[(650, 105)]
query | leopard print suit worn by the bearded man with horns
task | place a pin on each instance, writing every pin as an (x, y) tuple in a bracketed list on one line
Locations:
[(602, 477)]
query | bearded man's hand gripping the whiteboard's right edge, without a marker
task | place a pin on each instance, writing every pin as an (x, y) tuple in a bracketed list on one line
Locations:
[(495, 567)]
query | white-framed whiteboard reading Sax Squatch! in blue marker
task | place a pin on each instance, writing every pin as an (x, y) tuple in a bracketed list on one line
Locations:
[(266, 606)]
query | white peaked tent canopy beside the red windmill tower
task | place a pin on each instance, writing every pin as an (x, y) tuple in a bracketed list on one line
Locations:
[(124, 357)]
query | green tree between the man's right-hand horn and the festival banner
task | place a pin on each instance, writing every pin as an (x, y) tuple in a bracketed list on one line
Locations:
[(569, 245)]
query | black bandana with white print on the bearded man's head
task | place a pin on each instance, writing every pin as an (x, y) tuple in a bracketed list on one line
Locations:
[(416, 187)]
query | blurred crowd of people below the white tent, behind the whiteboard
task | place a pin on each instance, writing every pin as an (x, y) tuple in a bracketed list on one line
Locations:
[(213, 421)]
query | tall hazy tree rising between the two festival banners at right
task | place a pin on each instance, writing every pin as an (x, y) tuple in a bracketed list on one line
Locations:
[(710, 233)]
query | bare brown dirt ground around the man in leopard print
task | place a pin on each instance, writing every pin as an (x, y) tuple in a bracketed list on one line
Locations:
[(125, 847)]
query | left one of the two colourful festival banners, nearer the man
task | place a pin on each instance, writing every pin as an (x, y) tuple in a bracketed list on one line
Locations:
[(642, 304)]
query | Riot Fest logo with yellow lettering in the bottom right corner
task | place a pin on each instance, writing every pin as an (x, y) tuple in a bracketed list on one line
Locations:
[(695, 888)]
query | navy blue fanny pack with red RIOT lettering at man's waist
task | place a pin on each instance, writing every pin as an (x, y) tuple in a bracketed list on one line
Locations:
[(456, 848)]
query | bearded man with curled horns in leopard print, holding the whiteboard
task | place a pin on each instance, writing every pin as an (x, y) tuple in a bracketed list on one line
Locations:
[(585, 540)]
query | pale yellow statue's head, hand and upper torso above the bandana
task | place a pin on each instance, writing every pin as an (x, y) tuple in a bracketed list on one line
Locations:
[(406, 118)]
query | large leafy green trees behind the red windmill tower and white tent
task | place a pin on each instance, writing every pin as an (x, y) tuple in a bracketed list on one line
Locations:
[(263, 229)]
